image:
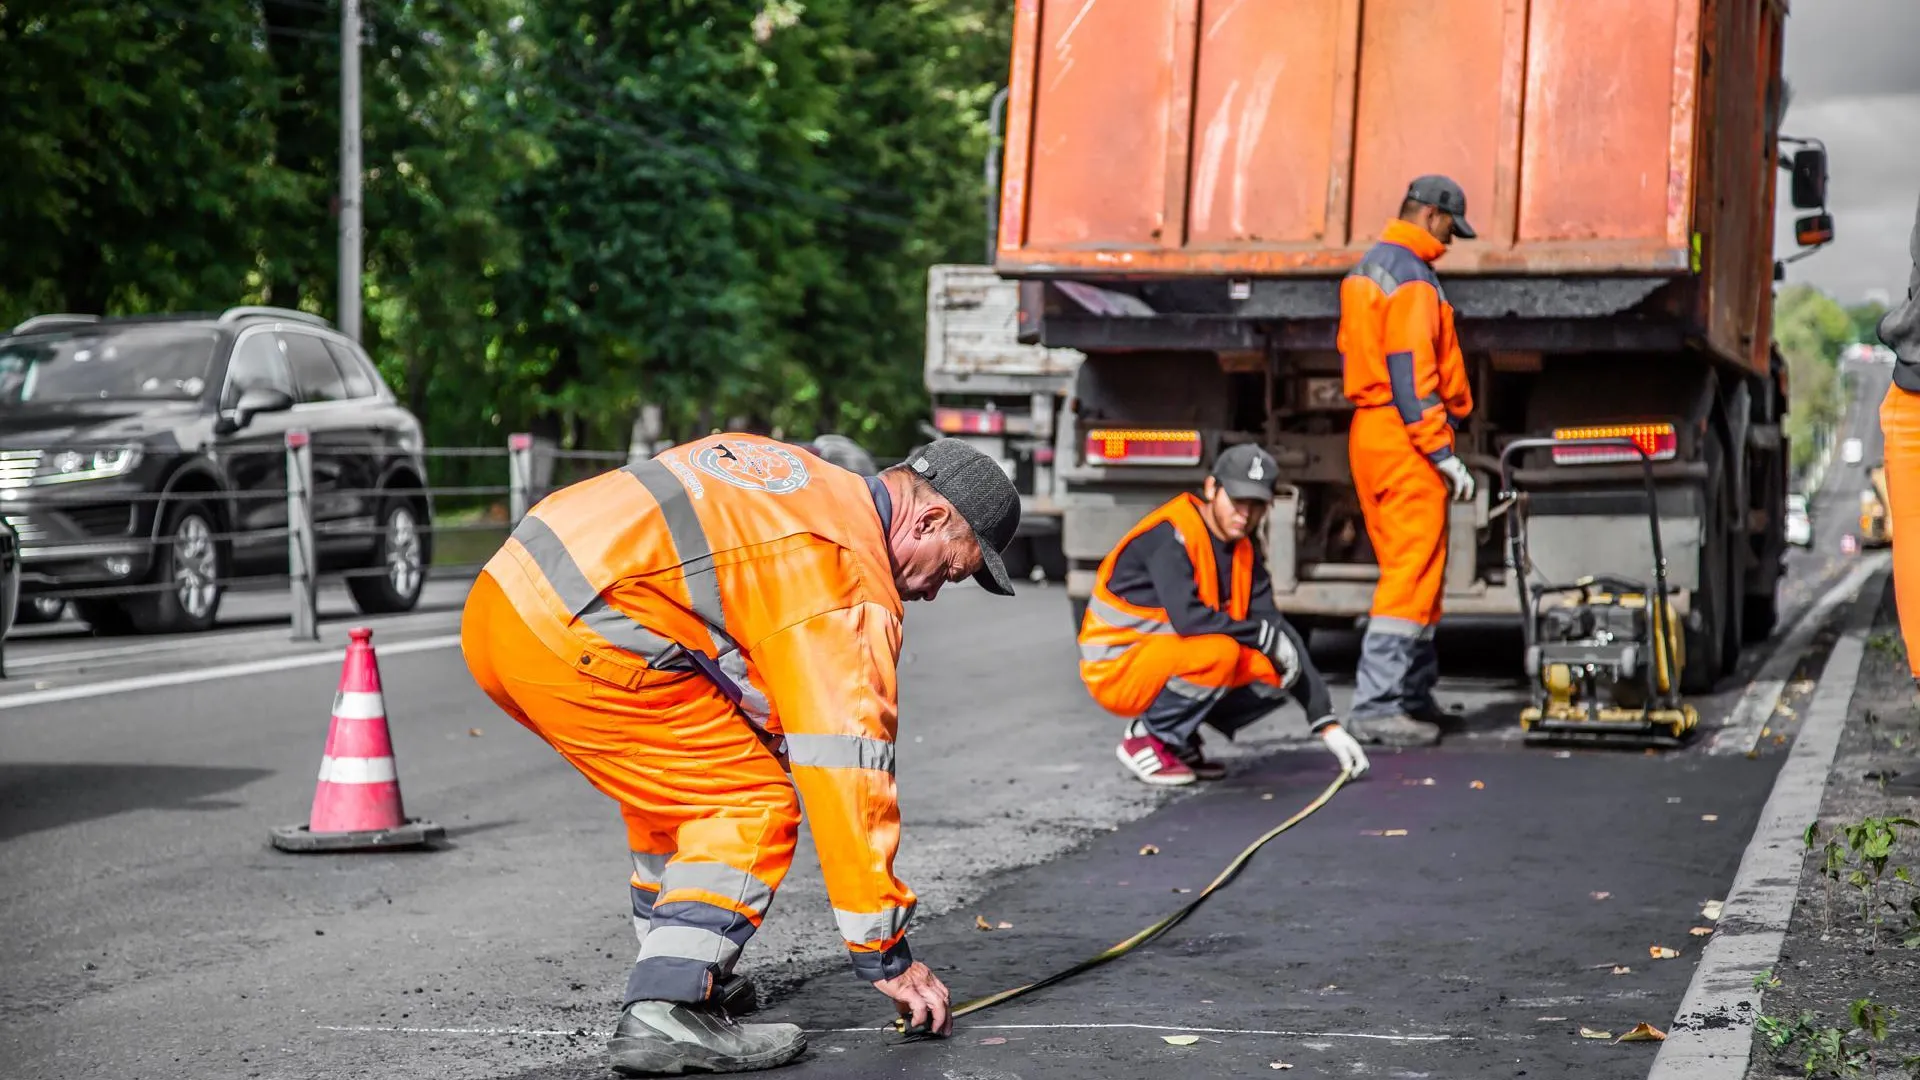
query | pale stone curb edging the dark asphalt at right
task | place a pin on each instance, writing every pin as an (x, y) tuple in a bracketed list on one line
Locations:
[(1712, 1037)]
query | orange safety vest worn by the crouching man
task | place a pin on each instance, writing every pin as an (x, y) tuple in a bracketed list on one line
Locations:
[(1113, 626)]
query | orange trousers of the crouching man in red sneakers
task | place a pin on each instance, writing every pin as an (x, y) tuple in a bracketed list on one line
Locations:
[(1174, 685)]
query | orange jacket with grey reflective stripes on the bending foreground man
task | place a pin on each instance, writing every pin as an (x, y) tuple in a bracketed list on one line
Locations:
[(765, 568)]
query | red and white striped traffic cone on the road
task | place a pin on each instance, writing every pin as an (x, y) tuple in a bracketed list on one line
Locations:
[(356, 804)]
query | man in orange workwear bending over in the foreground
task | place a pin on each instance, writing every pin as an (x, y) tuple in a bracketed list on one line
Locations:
[(713, 637)]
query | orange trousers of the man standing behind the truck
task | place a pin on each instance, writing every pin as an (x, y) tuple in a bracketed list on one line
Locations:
[(1406, 506)]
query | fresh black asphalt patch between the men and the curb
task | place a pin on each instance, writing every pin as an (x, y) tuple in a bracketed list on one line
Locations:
[(1470, 946)]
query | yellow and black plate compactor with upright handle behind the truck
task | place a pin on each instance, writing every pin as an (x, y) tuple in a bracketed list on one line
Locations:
[(1604, 654)]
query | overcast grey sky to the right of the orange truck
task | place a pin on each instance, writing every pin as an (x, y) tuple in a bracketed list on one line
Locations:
[(1858, 87)]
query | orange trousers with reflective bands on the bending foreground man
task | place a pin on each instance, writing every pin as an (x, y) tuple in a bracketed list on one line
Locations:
[(711, 814)]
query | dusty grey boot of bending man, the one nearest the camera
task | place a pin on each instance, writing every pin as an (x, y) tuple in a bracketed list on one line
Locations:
[(669, 1039)]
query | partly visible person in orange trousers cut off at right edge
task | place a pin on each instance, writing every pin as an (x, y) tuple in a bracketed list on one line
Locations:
[(1900, 431)]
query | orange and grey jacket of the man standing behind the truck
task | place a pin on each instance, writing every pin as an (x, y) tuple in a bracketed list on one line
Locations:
[(1397, 339)]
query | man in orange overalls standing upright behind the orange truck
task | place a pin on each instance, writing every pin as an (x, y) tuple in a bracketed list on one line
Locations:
[(1410, 391)]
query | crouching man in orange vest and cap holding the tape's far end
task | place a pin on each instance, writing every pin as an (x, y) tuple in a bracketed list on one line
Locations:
[(1182, 629)]
